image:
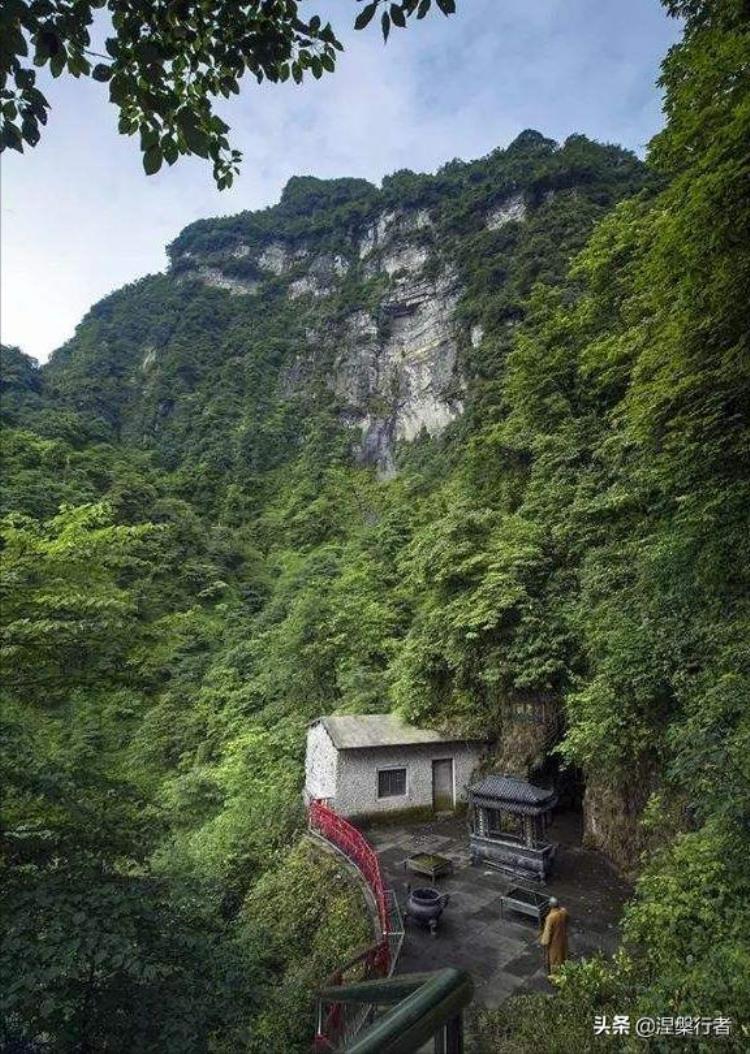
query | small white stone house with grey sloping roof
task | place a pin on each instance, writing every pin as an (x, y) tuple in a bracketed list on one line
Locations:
[(362, 766)]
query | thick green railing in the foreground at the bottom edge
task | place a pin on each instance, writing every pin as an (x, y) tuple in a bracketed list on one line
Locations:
[(423, 1008)]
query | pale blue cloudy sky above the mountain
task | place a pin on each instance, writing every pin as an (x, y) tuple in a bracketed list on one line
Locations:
[(81, 219)]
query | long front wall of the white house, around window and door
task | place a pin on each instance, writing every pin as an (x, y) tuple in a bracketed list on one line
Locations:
[(358, 780)]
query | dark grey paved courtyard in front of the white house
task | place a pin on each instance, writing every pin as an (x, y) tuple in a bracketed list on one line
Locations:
[(502, 954)]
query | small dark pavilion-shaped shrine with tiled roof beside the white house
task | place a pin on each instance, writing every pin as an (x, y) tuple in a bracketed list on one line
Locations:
[(508, 821)]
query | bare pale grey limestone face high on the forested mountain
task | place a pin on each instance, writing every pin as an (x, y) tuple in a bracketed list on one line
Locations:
[(396, 363)]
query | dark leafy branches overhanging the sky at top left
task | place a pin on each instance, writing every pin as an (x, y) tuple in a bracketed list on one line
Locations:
[(167, 64)]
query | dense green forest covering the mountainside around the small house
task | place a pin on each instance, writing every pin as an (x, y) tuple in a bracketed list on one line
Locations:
[(196, 563)]
